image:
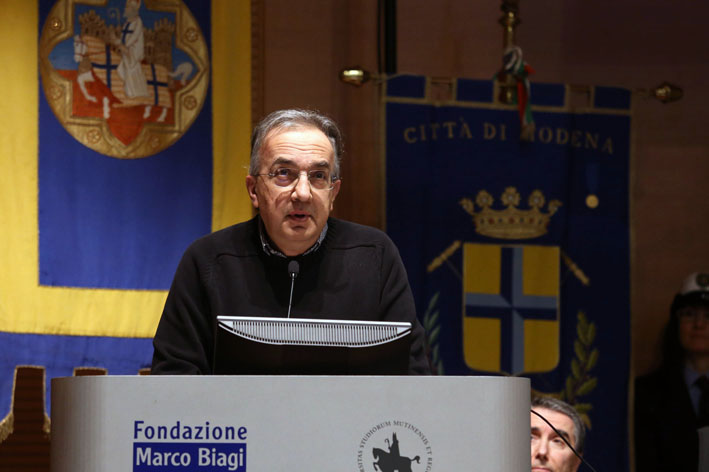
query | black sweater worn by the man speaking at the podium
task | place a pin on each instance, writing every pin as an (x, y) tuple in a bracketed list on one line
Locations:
[(356, 274)]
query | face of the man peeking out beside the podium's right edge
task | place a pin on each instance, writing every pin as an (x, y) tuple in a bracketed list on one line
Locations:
[(549, 452)]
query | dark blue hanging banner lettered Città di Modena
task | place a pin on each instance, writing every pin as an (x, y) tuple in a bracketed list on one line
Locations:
[(518, 251)]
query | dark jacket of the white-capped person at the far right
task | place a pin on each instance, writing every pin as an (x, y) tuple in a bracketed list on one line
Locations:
[(665, 424)]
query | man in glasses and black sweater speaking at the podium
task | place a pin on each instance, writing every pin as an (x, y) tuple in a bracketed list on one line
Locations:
[(342, 270)]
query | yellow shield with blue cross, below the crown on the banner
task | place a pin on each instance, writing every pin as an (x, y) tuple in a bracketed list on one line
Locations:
[(510, 308)]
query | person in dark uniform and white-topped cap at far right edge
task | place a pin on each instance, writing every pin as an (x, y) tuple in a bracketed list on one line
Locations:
[(672, 402)]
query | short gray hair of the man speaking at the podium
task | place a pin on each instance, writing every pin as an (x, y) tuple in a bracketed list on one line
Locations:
[(295, 118)]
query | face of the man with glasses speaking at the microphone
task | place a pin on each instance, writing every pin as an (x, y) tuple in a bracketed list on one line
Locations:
[(294, 216)]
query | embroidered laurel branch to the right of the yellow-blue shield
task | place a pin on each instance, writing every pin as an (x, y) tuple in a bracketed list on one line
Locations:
[(580, 382)]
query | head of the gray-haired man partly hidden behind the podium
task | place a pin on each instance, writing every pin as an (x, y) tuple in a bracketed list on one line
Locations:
[(549, 452)]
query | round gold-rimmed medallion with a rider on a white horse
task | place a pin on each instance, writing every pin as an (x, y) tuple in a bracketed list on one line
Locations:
[(125, 78)]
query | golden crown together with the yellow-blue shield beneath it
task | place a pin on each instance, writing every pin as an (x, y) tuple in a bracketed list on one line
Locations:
[(510, 292)]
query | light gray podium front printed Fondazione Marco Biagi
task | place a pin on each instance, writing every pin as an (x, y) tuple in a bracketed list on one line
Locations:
[(290, 423)]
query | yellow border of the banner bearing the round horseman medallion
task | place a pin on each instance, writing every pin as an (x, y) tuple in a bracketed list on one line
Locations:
[(26, 307)]
